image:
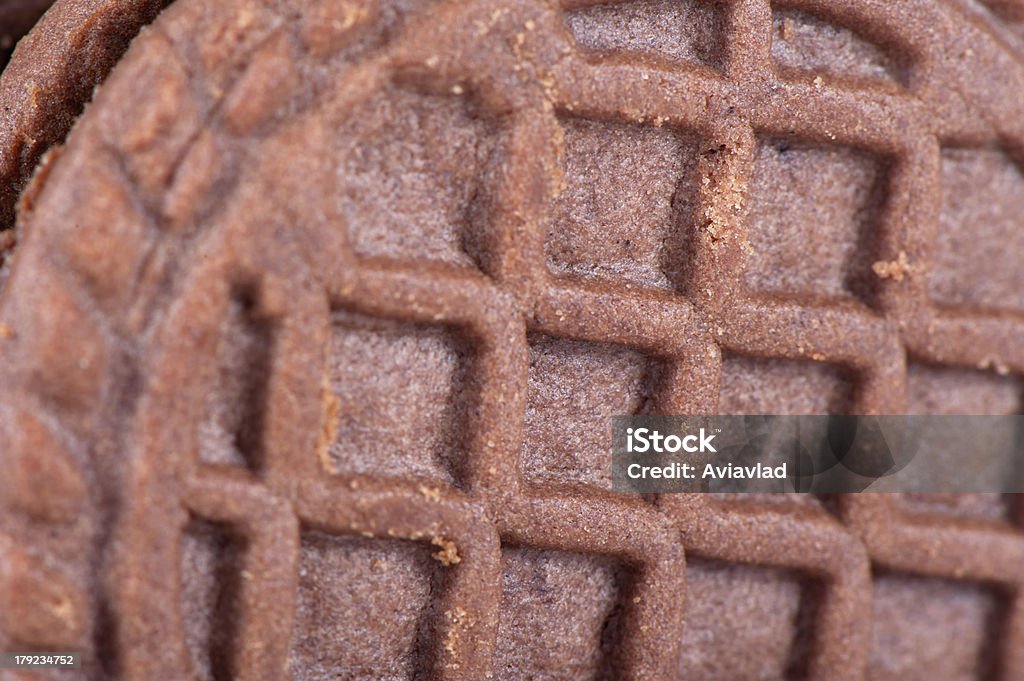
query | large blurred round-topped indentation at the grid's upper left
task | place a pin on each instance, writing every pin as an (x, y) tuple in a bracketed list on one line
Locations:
[(411, 172)]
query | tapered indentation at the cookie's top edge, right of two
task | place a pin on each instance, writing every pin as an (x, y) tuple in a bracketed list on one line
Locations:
[(805, 42)]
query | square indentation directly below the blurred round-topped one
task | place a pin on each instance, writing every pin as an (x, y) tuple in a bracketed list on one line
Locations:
[(401, 399)]
